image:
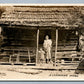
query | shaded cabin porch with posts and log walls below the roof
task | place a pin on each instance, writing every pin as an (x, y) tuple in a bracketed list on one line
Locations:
[(20, 45)]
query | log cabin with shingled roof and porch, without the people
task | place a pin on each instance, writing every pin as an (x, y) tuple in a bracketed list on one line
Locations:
[(23, 30)]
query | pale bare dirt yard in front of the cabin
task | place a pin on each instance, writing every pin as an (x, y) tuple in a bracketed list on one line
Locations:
[(18, 72)]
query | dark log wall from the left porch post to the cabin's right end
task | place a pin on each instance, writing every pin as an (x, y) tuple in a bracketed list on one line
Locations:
[(67, 42)]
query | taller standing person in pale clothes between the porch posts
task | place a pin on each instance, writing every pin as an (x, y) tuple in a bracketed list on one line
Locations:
[(47, 47)]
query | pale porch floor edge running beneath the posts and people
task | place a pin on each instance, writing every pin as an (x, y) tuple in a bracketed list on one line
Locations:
[(43, 66)]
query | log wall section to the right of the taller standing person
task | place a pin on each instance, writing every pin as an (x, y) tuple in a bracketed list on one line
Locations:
[(67, 44)]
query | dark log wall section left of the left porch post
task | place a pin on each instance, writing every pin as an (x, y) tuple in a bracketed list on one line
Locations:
[(19, 41)]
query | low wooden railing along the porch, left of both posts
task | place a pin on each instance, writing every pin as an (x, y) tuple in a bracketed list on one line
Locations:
[(17, 55)]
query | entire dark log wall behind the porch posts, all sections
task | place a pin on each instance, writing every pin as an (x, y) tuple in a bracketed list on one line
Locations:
[(23, 41)]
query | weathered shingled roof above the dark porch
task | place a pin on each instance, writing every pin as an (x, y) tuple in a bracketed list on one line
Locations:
[(57, 16)]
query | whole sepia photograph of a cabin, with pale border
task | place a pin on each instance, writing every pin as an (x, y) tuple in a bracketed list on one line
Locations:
[(41, 42)]
